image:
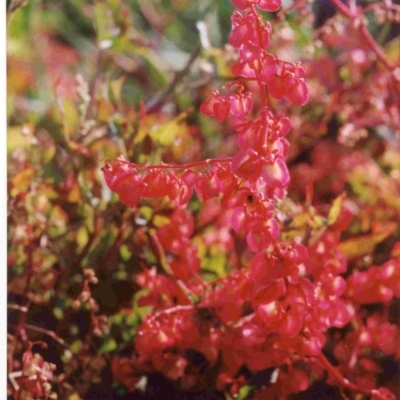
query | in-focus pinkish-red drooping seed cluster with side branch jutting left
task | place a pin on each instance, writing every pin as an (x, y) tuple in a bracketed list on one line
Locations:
[(273, 312)]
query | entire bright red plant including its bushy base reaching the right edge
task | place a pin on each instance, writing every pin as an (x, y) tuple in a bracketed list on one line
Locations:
[(286, 304)]
